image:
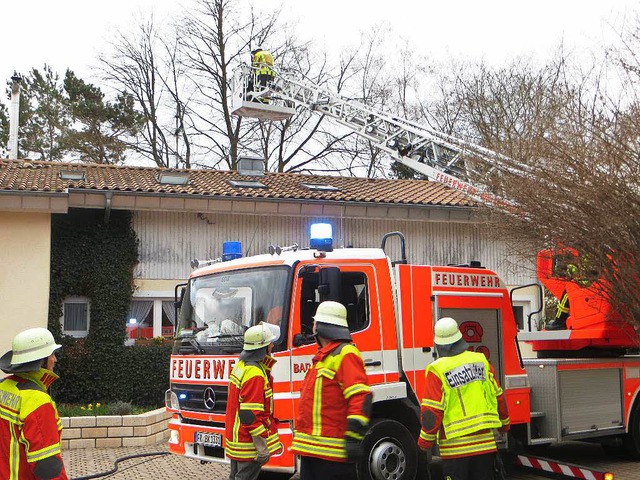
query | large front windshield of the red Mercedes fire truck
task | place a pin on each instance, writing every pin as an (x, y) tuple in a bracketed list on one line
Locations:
[(217, 309)]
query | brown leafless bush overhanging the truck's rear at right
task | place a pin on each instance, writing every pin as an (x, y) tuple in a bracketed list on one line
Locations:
[(570, 166)]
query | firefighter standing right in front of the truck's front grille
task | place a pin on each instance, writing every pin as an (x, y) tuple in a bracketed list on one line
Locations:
[(251, 430)]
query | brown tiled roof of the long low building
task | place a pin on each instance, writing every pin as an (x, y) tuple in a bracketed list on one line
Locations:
[(38, 176)]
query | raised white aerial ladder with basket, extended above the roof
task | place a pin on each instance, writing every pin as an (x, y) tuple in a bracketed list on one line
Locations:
[(438, 156)]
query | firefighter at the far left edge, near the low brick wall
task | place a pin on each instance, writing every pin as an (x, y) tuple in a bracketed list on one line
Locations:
[(30, 427)]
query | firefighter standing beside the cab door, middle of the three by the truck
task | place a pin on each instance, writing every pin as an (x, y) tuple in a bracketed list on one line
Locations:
[(335, 401)]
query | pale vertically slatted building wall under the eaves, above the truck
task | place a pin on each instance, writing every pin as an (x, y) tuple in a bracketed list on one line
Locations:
[(169, 241)]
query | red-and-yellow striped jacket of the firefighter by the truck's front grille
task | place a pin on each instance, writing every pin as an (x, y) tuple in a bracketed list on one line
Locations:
[(250, 410)]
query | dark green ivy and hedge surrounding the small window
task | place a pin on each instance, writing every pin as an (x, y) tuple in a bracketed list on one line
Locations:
[(95, 259)]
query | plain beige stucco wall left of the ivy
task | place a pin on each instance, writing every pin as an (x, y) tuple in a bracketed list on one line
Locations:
[(25, 252)]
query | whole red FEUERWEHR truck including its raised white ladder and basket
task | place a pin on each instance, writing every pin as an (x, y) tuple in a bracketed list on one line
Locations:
[(583, 385)]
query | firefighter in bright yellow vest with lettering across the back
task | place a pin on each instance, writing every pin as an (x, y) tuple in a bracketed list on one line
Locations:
[(461, 405)]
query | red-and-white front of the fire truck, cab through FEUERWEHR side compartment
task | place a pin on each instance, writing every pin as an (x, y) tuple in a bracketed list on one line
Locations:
[(391, 309)]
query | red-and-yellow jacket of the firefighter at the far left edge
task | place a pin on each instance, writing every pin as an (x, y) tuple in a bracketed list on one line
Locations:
[(30, 427)]
